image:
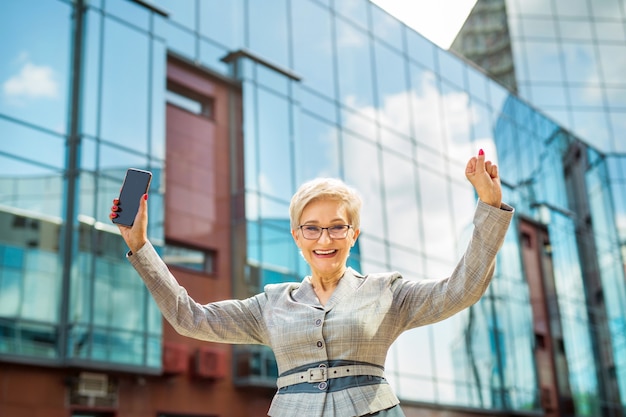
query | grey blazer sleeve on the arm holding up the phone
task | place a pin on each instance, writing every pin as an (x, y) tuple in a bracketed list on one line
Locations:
[(229, 321)]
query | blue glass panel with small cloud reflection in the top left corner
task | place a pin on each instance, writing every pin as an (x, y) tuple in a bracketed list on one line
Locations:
[(34, 82)]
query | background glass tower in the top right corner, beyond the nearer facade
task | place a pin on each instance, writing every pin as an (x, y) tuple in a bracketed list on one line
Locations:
[(565, 57)]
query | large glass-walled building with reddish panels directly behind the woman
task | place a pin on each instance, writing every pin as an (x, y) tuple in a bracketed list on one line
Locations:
[(232, 105)]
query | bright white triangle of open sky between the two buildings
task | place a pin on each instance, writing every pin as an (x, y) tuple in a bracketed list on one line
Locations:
[(438, 20)]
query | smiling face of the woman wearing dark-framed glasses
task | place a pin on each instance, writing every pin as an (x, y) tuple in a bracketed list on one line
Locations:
[(326, 256)]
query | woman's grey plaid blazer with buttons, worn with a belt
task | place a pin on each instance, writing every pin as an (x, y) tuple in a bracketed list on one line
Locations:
[(364, 316)]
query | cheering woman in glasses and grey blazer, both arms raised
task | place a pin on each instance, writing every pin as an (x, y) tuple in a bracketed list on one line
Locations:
[(331, 332)]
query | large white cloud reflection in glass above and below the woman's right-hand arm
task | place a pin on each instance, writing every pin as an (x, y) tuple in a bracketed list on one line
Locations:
[(416, 209)]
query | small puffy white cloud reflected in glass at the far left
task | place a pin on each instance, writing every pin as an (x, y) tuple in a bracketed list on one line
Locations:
[(32, 82)]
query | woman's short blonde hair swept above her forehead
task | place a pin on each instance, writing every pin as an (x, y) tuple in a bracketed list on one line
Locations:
[(326, 189)]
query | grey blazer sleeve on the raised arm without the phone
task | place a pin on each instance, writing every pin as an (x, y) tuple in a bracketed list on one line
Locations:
[(428, 301)]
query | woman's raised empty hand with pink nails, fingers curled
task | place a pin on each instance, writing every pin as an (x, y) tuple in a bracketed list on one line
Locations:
[(485, 178)]
